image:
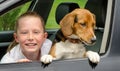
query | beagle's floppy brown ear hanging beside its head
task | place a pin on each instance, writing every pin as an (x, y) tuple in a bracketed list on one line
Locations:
[(66, 24)]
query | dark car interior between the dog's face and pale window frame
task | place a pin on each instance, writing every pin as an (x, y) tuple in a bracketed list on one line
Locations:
[(99, 9)]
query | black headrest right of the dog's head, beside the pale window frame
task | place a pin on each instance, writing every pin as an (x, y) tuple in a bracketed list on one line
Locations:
[(99, 8)]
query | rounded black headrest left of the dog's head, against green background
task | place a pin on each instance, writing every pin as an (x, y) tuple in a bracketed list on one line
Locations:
[(63, 9)]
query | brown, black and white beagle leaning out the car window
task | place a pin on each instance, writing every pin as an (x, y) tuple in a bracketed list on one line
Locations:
[(76, 30)]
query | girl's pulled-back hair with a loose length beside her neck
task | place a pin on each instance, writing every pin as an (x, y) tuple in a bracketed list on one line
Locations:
[(29, 13)]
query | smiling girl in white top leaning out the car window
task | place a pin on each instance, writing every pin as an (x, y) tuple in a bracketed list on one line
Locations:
[(30, 40)]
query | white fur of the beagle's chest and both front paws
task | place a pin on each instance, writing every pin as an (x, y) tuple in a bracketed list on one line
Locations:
[(67, 50)]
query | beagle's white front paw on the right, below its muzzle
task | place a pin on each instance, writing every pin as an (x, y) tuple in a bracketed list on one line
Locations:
[(93, 56)]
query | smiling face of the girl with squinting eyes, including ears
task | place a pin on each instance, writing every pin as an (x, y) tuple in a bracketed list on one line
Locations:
[(30, 34)]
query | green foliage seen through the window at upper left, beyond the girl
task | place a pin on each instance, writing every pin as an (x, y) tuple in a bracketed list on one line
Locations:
[(7, 20)]
